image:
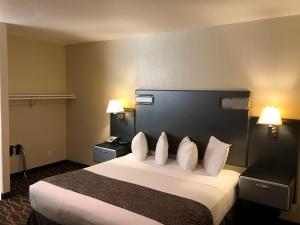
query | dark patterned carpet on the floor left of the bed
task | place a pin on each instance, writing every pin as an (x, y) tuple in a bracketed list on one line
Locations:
[(15, 209)]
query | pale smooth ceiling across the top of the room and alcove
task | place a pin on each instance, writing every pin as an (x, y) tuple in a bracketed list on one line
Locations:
[(75, 21)]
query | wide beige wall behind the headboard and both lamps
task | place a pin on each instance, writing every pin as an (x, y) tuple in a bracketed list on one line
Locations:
[(261, 56)]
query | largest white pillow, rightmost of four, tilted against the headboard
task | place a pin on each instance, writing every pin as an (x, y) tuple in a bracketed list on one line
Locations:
[(215, 156)]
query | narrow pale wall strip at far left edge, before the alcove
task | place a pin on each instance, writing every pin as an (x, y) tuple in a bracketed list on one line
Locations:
[(4, 115)]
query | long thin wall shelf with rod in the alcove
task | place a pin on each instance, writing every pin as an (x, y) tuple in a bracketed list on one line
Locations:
[(34, 97)]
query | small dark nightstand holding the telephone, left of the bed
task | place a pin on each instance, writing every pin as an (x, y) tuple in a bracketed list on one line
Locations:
[(106, 151)]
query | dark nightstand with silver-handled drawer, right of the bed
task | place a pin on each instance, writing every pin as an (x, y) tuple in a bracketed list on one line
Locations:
[(268, 185)]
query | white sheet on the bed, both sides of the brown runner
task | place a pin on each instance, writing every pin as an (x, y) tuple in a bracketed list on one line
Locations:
[(218, 194)]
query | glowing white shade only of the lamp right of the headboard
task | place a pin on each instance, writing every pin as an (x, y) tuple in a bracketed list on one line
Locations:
[(270, 115)]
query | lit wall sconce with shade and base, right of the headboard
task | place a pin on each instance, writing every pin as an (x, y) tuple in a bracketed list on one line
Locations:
[(271, 116)]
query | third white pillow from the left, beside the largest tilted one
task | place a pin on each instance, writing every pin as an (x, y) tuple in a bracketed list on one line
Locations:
[(188, 157)]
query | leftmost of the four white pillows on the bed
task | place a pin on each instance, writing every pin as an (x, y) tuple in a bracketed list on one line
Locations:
[(139, 146)]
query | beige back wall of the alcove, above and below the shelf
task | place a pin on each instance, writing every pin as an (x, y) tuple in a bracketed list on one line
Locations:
[(37, 67)]
